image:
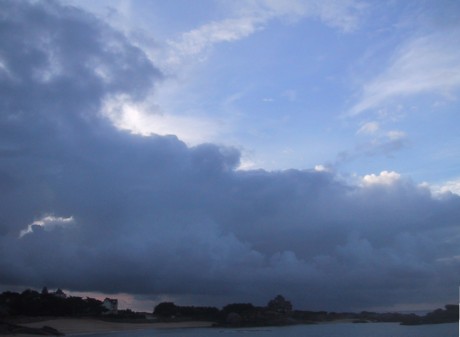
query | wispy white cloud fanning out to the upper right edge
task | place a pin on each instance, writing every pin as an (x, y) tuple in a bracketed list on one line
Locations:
[(428, 64)]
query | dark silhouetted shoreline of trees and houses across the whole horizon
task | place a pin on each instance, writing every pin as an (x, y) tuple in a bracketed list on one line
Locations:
[(278, 311)]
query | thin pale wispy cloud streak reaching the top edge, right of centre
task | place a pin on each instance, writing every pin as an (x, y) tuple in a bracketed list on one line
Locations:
[(252, 16)]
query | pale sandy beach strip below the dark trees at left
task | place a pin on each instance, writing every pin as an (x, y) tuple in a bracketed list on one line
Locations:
[(77, 326)]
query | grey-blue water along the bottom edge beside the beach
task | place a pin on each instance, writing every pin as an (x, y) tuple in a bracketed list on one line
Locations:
[(320, 330)]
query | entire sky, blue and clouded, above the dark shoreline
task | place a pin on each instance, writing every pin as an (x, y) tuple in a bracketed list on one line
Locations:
[(211, 152)]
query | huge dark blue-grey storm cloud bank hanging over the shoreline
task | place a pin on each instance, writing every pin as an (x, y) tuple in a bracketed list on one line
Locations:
[(86, 207)]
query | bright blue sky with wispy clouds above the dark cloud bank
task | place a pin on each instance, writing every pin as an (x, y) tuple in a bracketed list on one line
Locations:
[(356, 86)]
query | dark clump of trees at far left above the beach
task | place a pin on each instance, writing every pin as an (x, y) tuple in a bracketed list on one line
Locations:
[(34, 303)]
